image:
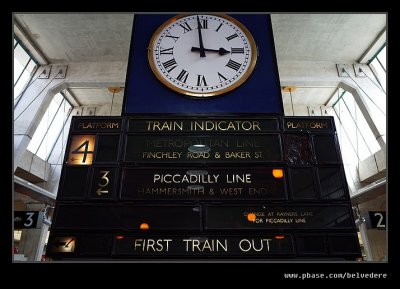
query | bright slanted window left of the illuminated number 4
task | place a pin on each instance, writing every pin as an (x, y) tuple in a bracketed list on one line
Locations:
[(50, 127)]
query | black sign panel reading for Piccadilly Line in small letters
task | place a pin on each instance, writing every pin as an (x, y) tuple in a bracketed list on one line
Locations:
[(323, 217)]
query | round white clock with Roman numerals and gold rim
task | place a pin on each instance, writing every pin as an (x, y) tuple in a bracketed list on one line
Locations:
[(202, 55)]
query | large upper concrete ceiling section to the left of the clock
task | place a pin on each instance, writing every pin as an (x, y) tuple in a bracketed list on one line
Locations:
[(71, 37)]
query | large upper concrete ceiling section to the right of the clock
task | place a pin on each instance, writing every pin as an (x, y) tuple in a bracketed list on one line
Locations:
[(325, 37)]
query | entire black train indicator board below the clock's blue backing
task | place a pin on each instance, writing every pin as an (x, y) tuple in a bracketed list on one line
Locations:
[(191, 187)]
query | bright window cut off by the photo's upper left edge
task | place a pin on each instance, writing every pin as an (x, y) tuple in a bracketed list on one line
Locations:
[(24, 65)]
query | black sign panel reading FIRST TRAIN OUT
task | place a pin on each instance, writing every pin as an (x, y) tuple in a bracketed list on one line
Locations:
[(262, 246)]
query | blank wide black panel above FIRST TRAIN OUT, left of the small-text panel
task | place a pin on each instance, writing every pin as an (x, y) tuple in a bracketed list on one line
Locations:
[(127, 217)]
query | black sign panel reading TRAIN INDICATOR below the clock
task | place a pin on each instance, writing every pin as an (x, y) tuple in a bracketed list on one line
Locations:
[(196, 126)]
